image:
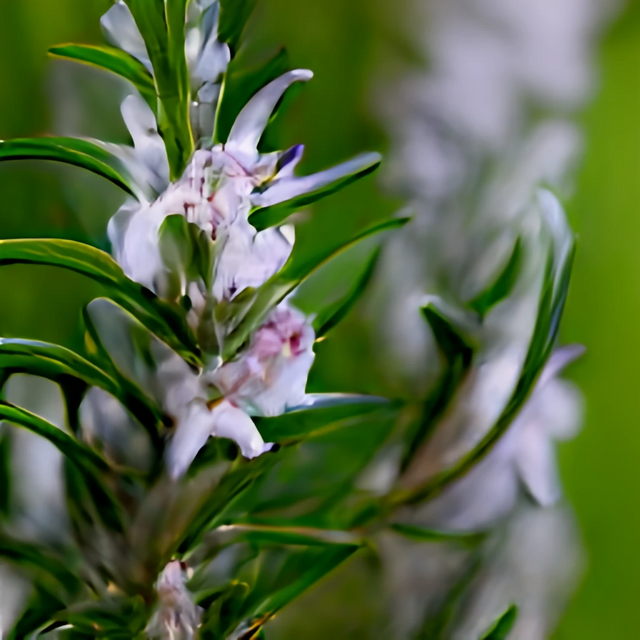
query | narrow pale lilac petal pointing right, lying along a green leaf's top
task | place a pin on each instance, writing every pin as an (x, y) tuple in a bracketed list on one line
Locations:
[(289, 188)]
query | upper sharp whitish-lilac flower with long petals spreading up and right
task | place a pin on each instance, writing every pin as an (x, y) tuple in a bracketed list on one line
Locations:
[(217, 192)]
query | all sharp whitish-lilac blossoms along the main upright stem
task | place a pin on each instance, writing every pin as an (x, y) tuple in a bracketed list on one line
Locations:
[(194, 242)]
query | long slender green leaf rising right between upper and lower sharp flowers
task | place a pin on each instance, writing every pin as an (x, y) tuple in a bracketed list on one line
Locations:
[(298, 268)]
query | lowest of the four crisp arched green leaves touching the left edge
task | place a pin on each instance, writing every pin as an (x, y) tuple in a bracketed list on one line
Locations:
[(79, 453)]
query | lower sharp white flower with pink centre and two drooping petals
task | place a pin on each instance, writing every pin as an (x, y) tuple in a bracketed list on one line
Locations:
[(266, 380)]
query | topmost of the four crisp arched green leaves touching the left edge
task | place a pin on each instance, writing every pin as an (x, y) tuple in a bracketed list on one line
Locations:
[(86, 154)]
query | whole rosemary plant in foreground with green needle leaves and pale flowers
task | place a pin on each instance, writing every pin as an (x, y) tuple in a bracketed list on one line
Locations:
[(195, 463)]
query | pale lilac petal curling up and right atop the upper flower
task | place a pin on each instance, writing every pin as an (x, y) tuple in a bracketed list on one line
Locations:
[(253, 119)]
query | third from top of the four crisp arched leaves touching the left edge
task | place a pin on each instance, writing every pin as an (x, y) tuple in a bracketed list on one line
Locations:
[(59, 364)]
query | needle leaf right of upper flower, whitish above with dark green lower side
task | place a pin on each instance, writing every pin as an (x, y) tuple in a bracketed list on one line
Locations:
[(289, 195)]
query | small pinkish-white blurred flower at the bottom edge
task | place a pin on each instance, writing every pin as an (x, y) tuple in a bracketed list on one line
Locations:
[(177, 616)]
